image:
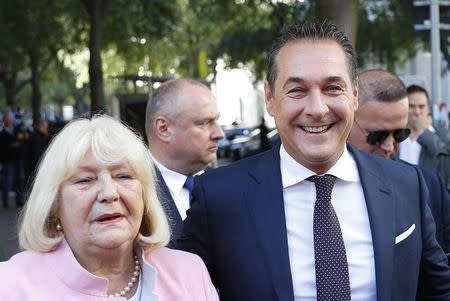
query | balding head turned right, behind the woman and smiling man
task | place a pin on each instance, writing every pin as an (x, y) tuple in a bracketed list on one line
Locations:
[(182, 126)]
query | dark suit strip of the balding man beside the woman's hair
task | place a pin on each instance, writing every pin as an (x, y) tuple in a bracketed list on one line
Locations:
[(170, 208)]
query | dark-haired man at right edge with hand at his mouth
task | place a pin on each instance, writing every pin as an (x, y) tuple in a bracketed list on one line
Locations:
[(424, 147)]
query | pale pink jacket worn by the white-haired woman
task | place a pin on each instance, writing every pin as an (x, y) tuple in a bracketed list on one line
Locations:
[(168, 275)]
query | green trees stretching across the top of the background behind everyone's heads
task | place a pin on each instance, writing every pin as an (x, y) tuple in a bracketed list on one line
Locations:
[(175, 38)]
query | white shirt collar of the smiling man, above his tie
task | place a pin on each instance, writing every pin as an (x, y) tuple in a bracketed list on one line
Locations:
[(293, 172)]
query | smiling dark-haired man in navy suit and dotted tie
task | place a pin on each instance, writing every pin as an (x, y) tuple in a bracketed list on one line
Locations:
[(252, 222)]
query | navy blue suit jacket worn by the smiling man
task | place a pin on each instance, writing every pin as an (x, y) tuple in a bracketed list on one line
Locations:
[(237, 225)]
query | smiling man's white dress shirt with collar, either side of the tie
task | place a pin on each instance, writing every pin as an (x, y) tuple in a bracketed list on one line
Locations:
[(349, 203)]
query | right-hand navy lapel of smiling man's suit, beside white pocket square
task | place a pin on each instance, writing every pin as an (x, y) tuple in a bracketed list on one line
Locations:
[(380, 206)]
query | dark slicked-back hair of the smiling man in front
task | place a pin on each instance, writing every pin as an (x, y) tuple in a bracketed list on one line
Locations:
[(314, 31)]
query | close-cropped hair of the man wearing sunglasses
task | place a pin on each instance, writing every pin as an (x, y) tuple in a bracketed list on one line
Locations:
[(380, 85)]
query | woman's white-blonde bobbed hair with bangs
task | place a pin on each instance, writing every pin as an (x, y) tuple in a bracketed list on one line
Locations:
[(112, 142)]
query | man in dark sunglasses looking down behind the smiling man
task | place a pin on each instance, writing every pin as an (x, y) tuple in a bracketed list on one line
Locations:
[(380, 126)]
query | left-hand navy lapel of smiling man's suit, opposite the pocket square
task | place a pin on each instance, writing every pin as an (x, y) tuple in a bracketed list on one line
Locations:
[(265, 204)]
